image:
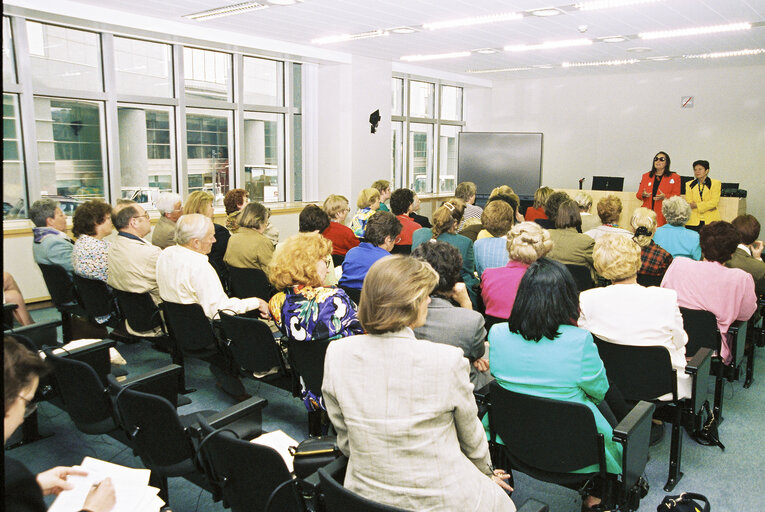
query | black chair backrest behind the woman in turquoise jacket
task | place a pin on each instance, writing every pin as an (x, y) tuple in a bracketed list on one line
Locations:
[(542, 434)]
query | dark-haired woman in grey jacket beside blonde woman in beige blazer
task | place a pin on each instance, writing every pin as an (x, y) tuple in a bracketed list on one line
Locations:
[(458, 326)]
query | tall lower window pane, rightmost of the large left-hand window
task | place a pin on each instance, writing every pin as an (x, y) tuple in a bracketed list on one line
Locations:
[(264, 156)]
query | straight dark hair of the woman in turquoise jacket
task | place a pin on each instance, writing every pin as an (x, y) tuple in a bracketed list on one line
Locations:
[(547, 298)]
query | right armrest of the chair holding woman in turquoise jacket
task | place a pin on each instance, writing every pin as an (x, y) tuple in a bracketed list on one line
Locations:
[(633, 433)]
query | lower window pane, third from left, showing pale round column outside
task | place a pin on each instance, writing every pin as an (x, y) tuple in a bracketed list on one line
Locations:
[(147, 156)]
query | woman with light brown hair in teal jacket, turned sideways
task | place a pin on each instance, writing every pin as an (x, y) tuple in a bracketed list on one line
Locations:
[(446, 218)]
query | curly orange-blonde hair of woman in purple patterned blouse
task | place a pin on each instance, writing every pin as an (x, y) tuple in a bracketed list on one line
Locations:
[(294, 261)]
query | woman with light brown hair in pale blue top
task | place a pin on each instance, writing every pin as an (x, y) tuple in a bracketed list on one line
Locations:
[(497, 218)]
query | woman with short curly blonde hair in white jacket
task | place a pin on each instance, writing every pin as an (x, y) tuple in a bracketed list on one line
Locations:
[(626, 313)]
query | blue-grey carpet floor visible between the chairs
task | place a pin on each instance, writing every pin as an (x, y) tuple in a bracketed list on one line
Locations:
[(732, 480)]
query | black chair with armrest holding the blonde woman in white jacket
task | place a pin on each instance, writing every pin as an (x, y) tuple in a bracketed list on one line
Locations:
[(645, 373)]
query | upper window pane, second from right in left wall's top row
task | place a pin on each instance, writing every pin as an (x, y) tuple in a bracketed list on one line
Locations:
[(207, 74)]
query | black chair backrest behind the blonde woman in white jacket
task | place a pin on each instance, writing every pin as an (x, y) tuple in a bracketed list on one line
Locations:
[(640, 373)]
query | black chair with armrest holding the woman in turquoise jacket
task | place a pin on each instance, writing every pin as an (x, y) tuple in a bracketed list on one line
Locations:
[(547, 439)]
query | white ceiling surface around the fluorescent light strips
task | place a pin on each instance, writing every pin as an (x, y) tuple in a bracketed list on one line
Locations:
[(302, 22)]
